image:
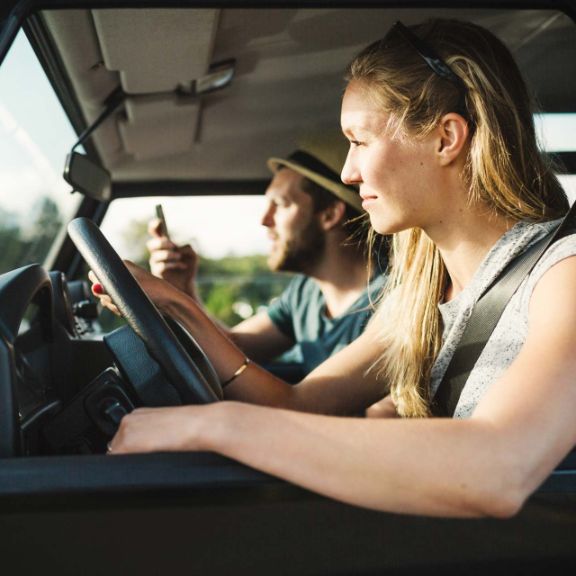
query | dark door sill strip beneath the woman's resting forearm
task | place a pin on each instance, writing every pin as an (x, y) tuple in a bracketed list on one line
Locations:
[(162, 473)]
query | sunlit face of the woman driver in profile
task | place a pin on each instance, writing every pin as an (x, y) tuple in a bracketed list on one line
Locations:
[(395, 173)]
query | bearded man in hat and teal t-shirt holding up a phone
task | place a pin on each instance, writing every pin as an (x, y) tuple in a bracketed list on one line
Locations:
[(314, 226)]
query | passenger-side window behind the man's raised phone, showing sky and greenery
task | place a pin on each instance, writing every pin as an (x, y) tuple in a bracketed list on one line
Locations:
[(234, 281)]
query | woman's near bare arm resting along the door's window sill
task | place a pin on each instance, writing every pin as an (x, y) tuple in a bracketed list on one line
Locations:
[(486, 465)]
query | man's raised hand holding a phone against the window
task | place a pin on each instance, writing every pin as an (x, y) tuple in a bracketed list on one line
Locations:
[(175, 264)]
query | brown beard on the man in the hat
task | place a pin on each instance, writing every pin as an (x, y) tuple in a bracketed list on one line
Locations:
[(299, 254)]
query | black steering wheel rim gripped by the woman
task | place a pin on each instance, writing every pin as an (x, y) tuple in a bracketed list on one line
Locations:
[(195, 383)]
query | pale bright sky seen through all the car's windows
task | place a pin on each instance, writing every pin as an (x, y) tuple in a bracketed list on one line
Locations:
[(35, 137)]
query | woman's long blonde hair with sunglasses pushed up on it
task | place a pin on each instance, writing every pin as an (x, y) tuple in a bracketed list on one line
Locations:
[(504, 170)]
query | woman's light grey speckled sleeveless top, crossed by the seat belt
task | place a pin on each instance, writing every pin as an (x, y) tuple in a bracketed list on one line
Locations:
[(510, 333)]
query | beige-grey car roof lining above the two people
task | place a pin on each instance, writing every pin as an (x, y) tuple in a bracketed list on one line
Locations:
[(164, 134)]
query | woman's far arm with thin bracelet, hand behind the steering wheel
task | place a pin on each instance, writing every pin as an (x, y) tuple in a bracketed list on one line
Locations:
[(339, 386)]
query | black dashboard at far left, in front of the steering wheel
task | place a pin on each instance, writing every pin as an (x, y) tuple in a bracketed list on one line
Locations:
[(50, 348)]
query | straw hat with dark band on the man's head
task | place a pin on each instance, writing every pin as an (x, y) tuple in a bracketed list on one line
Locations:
[(320, 158)]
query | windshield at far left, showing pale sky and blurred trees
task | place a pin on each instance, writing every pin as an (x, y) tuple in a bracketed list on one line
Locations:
[(35, 136)]
